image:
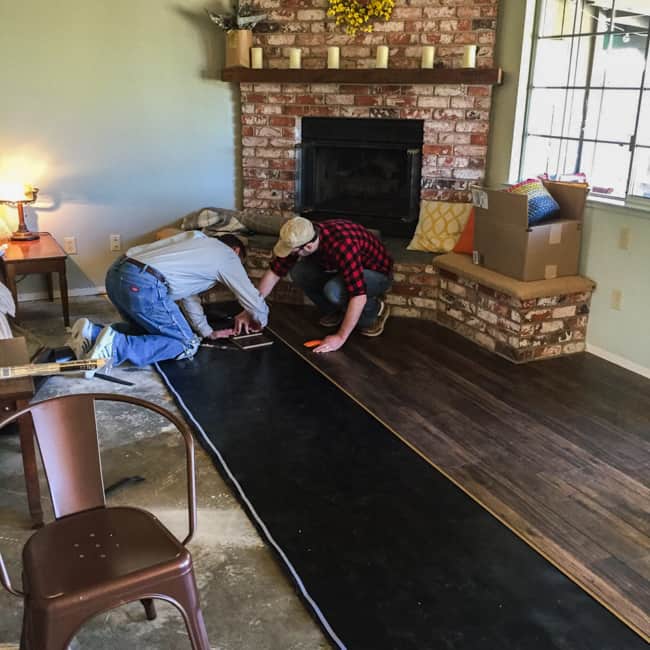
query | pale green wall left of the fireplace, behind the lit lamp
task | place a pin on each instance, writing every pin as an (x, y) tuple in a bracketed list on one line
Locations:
[(120, 100)]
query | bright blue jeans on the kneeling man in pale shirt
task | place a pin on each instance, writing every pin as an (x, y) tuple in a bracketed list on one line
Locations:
[(154, 328)]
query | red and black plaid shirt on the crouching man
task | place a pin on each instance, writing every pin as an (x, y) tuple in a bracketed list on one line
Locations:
[(345, 247)]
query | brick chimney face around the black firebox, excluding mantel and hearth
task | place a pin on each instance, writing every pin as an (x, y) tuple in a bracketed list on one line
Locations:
[(455, 115)]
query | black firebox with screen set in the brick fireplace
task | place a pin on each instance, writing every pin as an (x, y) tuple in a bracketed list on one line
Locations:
[(366, 170)]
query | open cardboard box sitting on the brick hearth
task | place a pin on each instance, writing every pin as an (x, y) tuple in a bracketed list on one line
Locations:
[(504, 242)]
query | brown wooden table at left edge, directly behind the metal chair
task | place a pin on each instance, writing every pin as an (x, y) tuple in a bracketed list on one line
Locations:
[(14, 395)]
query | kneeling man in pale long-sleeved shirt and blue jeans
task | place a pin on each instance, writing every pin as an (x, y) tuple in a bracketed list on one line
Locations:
[(144, 286)]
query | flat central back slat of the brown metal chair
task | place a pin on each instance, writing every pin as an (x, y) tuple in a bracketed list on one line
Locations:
[(66, 432)]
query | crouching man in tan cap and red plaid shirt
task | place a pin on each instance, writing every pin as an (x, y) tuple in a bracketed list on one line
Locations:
[(343, 269)]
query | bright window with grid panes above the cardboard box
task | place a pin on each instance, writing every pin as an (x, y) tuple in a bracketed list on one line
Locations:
[(588, 102)]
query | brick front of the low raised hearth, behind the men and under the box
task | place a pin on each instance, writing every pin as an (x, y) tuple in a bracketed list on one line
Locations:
[(520, 330)]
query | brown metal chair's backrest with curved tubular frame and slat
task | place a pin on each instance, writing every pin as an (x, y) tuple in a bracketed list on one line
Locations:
[(66, 432)]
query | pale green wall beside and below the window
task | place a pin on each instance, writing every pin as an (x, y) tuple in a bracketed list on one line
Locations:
[(621, 336)]
